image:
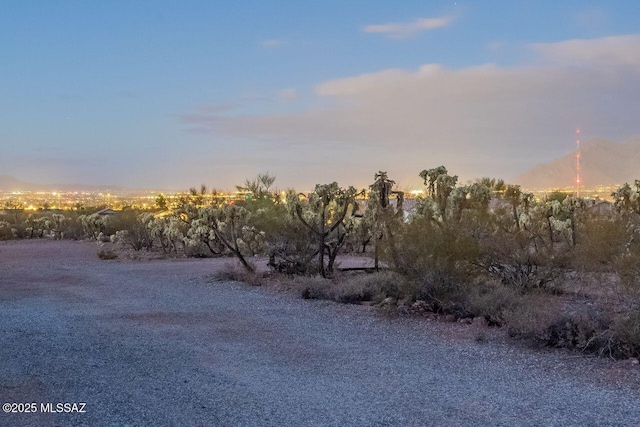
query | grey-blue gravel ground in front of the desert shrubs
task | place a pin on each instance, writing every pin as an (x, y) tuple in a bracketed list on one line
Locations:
[(154, 343)]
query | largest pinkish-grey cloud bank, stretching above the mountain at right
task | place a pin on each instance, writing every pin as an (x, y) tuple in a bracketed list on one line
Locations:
[(480, 120)]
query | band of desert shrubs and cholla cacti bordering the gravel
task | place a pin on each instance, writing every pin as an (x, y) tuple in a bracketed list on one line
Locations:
[(484, 250)]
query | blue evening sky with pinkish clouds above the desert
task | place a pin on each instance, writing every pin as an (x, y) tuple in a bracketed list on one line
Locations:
[(172, 94)]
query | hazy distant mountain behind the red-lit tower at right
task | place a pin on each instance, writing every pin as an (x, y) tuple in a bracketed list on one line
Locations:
[(602, 162)]
